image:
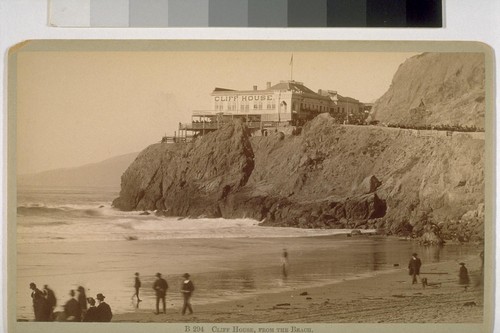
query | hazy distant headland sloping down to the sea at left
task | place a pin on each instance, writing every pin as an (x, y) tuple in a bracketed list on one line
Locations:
[(105, 173)]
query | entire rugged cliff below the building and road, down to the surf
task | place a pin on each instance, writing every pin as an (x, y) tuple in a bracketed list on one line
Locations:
[(330, 176)]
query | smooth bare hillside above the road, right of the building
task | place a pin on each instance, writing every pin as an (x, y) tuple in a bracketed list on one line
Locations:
[(436, 89)]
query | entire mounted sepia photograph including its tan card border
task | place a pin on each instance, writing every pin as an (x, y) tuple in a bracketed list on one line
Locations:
[(224, 186)]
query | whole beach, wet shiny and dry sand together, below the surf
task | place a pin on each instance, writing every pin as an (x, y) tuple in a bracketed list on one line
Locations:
[(239, 280)]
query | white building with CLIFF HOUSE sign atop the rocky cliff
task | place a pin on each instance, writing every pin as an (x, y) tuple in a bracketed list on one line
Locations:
[(286, 105)]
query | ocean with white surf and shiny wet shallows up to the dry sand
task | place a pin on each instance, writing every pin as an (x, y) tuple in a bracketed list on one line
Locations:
[(70, 237)]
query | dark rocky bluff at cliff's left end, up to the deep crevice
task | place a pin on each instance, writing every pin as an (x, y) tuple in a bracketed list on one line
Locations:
[(188, 179)]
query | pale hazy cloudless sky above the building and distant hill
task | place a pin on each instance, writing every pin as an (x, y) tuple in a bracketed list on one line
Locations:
[(75, 108)]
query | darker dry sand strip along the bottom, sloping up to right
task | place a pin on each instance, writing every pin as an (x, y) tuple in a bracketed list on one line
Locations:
[(387, 297)]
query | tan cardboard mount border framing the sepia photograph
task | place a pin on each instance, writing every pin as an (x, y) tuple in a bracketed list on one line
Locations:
[(252, 46)]
